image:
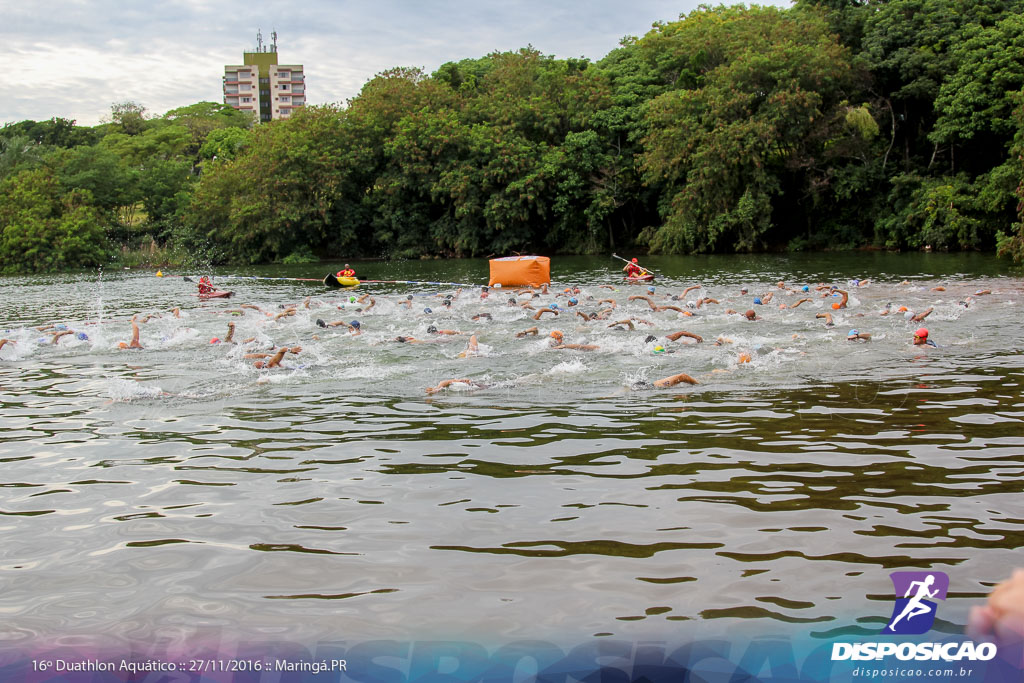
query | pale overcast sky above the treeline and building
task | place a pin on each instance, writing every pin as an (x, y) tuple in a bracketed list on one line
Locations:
[(73, 59)]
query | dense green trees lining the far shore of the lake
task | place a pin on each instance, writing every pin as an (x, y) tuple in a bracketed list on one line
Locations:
[(835, 124)]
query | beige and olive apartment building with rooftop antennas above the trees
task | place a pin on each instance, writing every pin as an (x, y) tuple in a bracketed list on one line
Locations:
[(261, 86)]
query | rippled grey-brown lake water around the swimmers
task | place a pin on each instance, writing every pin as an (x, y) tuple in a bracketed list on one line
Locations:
[(180, 488)]
